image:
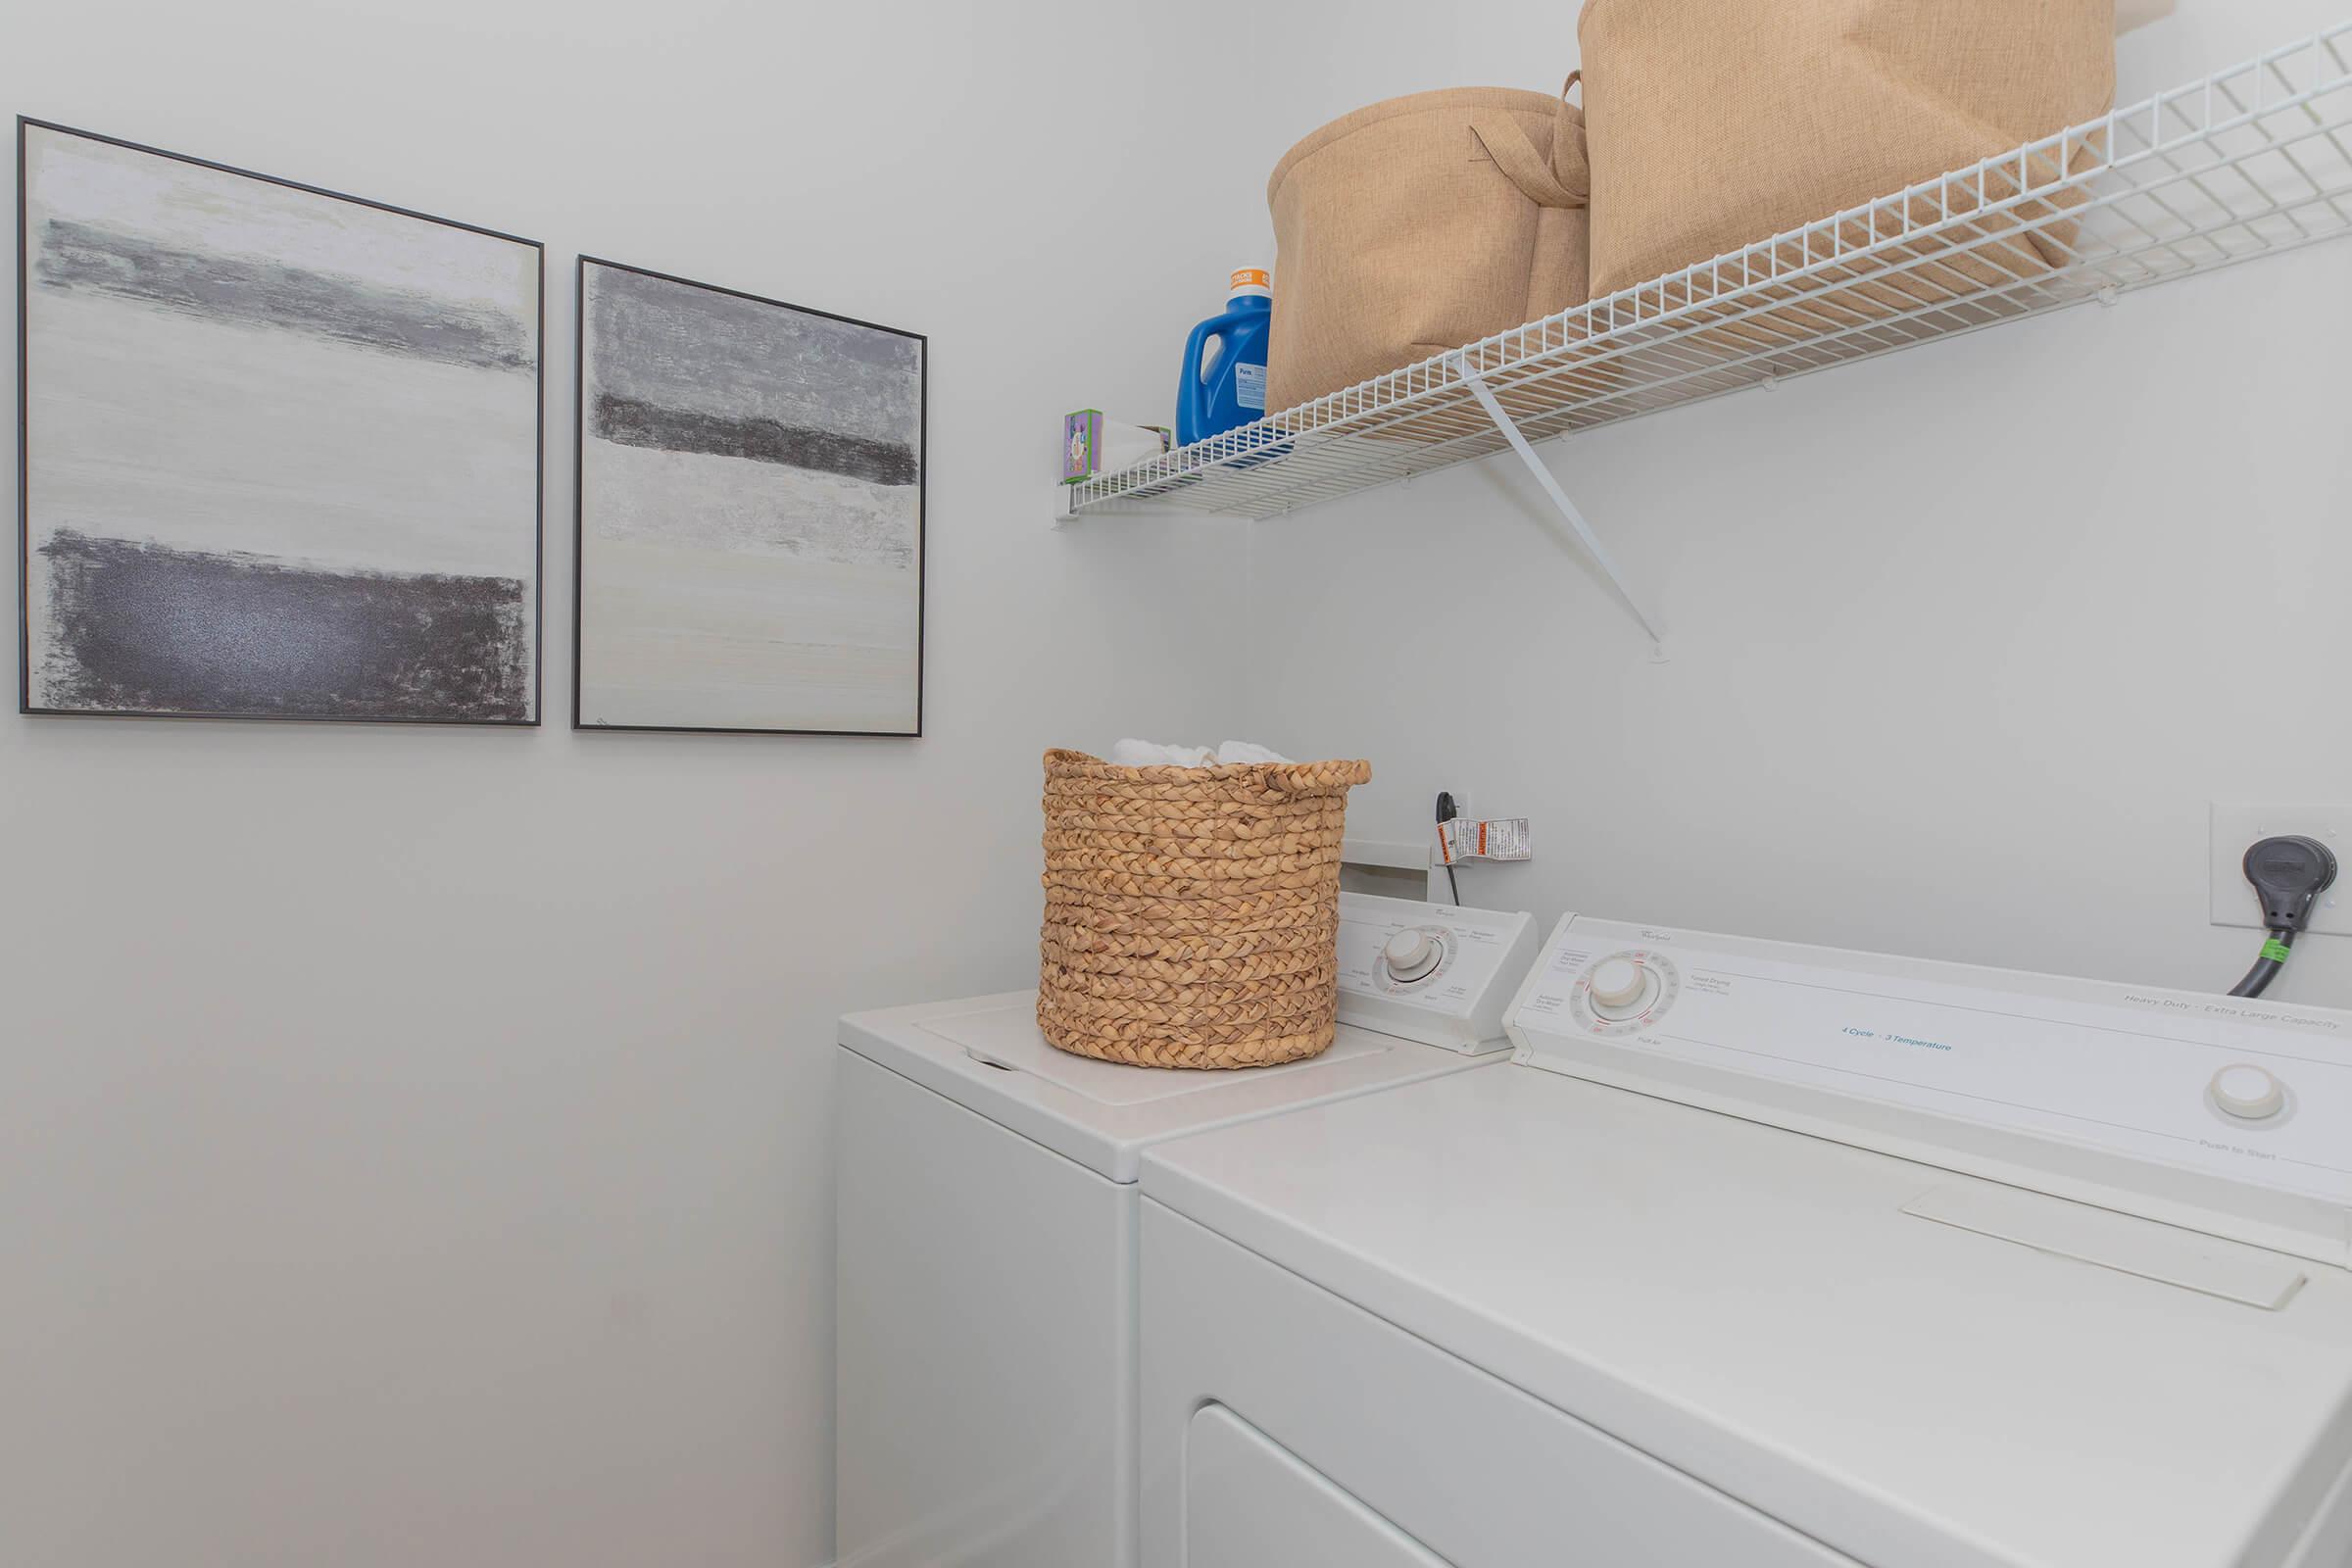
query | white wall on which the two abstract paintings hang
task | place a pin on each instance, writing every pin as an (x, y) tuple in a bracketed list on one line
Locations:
[(415, 1146)]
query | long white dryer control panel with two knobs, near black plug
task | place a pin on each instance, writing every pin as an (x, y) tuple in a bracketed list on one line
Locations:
[(2219, 1113)]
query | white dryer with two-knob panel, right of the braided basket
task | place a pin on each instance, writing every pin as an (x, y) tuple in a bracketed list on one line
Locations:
[(1775, 1257)]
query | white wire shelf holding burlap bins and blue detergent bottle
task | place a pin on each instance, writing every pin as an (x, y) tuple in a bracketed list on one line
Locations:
[(2245, 163)]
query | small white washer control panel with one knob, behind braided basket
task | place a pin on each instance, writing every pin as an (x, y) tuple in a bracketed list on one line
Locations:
[(1431, 972)]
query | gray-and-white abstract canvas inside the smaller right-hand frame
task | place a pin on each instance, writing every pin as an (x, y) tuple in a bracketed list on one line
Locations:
[(749, 514)]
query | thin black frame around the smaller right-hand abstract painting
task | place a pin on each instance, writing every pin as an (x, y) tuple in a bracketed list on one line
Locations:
[(580, 504)]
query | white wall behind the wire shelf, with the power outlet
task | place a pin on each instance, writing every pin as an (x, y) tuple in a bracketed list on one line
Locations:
[(1965, 638)]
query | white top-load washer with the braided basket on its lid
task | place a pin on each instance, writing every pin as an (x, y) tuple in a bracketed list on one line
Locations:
[(989, 1343)]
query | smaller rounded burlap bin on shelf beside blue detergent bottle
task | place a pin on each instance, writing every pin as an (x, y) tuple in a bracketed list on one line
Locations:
[(1417, 227)]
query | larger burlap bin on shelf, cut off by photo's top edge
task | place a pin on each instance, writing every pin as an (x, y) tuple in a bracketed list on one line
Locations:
[(1718, 123)]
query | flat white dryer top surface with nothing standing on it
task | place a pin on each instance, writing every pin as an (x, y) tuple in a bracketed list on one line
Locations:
[(1758, 1311)]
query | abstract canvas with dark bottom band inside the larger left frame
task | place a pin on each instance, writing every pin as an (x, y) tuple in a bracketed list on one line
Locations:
[(281, 448)]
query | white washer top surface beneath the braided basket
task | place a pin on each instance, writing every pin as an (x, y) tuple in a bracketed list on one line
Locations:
[(989, 1057)]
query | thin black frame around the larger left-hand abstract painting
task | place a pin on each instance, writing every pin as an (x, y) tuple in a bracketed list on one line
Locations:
[(25, 450)]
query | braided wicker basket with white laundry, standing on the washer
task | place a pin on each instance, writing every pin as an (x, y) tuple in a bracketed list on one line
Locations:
[(1191, 916)]
